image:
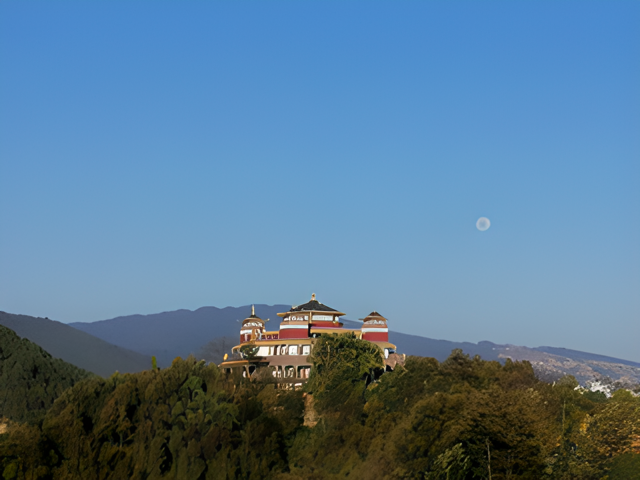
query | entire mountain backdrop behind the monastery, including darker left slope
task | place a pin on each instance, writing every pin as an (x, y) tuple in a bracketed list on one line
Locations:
[(127, 343)]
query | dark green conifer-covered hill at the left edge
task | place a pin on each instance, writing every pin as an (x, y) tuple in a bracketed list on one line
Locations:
[(30, 378)]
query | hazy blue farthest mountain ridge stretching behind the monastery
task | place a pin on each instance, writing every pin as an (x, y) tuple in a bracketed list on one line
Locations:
[(182, 332)]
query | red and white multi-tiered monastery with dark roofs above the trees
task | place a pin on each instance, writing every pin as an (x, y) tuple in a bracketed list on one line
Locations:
[(285, 352)]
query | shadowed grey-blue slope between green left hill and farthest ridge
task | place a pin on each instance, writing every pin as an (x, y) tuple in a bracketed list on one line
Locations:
[(75, 347)]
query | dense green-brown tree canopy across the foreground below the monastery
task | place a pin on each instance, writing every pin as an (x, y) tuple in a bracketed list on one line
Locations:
[(461, 418)]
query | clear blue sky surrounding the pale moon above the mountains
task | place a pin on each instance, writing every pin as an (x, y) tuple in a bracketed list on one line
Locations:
[(165, 155)]
